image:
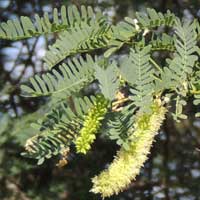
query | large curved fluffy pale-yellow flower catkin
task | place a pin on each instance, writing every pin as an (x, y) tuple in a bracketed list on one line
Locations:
[(127, 164)]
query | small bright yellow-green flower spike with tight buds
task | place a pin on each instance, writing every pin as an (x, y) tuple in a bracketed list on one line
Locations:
[(91, 125)]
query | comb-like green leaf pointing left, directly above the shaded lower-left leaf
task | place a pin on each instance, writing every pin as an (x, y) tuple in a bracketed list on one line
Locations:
[(68, 78)]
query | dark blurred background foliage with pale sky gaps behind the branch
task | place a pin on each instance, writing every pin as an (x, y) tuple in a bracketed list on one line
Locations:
[(173, 169)]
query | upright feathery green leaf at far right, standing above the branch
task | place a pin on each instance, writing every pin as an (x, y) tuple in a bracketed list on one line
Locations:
[(176, 74)]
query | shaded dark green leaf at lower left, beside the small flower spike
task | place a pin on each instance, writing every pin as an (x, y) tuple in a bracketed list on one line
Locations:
[(58, 128)]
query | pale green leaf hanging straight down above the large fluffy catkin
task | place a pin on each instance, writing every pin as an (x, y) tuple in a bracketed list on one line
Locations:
[(137, 70)]
